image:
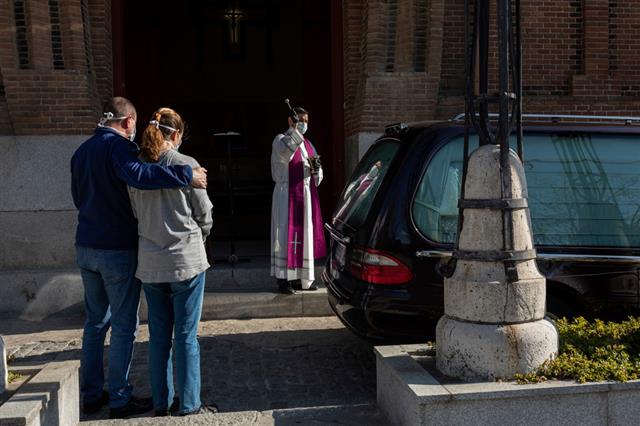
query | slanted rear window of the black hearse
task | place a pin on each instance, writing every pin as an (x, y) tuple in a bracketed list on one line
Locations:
[(355, 202)]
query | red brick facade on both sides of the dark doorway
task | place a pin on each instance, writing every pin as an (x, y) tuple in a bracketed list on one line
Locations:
[(403, 61)]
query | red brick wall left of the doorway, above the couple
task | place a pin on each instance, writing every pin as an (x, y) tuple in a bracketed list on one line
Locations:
[(48, 79)]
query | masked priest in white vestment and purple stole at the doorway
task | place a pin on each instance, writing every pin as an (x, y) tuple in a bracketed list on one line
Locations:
[(297, 235)]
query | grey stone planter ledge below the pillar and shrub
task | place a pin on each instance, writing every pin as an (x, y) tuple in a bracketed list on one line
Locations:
[(408, 394)]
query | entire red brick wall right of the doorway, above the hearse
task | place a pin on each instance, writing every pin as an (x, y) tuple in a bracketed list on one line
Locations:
[(580, 56)]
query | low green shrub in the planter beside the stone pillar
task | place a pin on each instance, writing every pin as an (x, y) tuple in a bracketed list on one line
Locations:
[(592, 352)]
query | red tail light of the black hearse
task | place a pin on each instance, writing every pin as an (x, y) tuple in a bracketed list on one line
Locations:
[(378, 267)]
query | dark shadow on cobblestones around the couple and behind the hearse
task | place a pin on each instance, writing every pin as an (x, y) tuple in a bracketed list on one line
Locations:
[(266, 370)]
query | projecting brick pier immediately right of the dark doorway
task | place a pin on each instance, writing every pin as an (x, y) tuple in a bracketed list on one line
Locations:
[(392, 56)]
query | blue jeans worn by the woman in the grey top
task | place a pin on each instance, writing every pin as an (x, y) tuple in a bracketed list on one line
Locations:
[(175, 308)]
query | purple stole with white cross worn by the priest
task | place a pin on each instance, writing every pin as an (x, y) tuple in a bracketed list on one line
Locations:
[(296, 212)]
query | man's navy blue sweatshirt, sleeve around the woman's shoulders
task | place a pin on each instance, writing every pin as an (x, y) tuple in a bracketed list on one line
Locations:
[(101, 169)]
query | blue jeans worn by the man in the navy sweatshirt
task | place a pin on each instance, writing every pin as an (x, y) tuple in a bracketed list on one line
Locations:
[(111, 299)]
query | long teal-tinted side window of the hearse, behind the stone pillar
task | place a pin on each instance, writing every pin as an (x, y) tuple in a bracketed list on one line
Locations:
[(584, 190)]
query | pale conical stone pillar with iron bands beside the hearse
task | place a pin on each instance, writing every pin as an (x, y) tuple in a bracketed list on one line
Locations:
[(494, 324)]
